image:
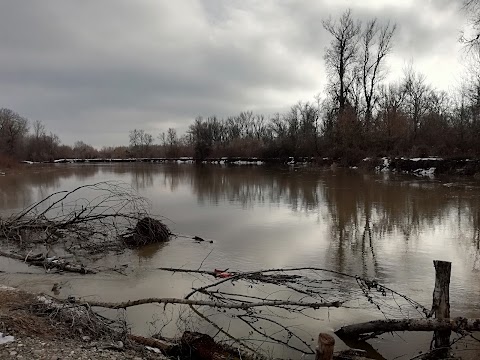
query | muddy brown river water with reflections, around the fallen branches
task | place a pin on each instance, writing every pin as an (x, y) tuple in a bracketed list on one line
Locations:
[(383, 226)]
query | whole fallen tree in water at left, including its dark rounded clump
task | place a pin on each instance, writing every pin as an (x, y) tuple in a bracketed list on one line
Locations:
[(89, 220)]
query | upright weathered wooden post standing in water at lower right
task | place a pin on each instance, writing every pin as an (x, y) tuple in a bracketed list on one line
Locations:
[(441, 300)]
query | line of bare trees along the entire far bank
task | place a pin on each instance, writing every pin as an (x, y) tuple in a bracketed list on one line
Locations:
[(359, 114)]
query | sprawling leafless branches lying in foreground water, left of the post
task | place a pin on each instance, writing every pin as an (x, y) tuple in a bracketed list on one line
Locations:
[(252, 310)]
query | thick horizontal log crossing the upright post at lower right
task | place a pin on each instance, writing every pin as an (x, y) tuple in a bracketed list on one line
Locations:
[(382, 326)]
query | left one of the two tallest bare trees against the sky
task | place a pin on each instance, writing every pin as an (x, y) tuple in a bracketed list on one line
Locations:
[(341, 56)]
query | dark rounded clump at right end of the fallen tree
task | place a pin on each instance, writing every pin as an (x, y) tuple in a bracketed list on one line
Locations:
[(148, 231)]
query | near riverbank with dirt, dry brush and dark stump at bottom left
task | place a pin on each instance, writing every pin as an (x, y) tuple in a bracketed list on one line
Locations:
[(40, 327)]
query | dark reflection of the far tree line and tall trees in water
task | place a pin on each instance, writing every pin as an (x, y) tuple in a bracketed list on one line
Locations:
[(359, 209)]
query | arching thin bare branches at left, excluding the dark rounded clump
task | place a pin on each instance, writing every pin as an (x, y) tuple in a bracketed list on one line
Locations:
[(89, 219)]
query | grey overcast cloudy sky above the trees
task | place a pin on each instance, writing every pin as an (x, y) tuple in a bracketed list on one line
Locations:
[(93, 70)]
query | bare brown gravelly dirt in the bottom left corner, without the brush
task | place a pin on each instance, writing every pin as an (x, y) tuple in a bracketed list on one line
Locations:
[(43, 336)]
